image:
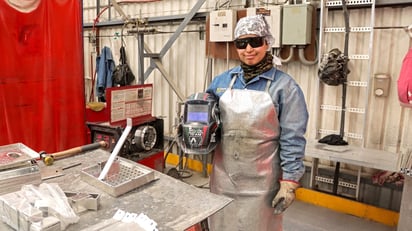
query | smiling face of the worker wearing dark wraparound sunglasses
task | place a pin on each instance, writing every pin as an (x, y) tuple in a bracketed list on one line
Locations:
[(254, 51)]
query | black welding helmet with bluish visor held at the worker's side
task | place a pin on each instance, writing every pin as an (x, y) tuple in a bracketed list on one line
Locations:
[(198, 131)]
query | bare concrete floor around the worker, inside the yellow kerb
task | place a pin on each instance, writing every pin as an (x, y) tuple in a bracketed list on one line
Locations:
[(302, 216)]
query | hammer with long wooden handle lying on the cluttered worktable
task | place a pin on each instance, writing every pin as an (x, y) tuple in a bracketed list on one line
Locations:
[(48, 159)]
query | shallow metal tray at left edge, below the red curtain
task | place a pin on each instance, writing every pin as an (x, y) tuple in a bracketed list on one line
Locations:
[(14, 155)]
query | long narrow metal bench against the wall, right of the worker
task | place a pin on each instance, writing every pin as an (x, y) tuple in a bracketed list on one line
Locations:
[(357, 156)]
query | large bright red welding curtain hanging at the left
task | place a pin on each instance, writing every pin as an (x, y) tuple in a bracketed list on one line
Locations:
[(41, 79)]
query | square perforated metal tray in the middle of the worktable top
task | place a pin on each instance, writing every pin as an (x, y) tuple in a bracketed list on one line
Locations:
[(124, 176)]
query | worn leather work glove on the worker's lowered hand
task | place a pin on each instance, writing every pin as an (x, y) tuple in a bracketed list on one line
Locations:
[(285, 196)]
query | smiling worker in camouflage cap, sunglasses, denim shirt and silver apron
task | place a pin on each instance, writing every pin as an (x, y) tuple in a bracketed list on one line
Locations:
[(259, 160)]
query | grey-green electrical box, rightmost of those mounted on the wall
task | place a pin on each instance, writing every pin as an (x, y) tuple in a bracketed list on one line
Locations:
[(297, 24)]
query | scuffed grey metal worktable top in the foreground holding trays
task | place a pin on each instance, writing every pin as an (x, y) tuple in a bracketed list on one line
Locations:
[(171, 203)]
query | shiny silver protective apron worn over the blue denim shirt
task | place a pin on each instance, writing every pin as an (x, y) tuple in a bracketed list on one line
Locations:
[(246, 166)]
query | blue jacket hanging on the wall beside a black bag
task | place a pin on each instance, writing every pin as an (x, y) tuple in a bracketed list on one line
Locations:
[(105, 66)]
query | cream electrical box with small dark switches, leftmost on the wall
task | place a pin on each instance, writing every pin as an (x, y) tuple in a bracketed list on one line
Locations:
[(222, 25)]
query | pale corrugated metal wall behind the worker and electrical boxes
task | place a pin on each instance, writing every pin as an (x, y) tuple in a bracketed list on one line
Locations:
[(387, 124)]
